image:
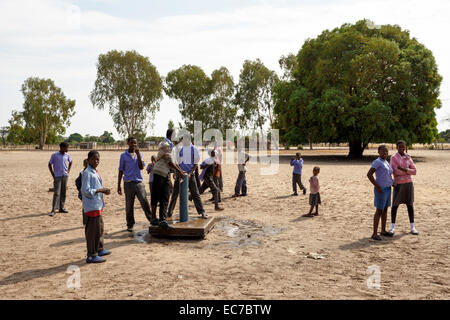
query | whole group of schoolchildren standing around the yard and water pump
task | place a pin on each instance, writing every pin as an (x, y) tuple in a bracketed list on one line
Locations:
[(185, 166)]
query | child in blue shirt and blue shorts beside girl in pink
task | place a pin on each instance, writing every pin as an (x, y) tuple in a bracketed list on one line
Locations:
[(382, 190)]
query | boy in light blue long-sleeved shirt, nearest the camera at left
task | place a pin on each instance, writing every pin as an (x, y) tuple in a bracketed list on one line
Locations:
[(92, 193)]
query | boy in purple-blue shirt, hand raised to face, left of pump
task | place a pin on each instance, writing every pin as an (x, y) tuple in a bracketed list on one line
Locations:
[(130, 166)]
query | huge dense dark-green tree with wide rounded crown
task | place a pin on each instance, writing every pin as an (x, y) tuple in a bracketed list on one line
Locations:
[(360, 84)]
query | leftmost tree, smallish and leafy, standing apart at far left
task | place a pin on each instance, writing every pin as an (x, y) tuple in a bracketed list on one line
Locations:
[(46, 112)]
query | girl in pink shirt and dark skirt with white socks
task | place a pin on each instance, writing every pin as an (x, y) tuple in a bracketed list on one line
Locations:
[(404, 168)]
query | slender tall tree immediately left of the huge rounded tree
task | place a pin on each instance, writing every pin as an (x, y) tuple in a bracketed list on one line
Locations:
[(254, 95)]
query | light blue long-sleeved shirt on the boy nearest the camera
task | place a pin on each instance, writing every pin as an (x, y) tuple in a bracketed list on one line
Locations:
[(93, 203)]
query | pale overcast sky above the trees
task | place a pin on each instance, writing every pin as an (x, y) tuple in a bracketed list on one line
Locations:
[(61, 40)]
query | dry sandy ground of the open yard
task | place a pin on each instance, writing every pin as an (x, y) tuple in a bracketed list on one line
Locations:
[(257, 249)]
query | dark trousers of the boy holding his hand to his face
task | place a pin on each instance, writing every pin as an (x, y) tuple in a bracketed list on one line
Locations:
[(133, 190)]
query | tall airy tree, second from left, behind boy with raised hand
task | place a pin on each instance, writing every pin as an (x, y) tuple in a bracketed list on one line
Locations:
[(131, 87)]
